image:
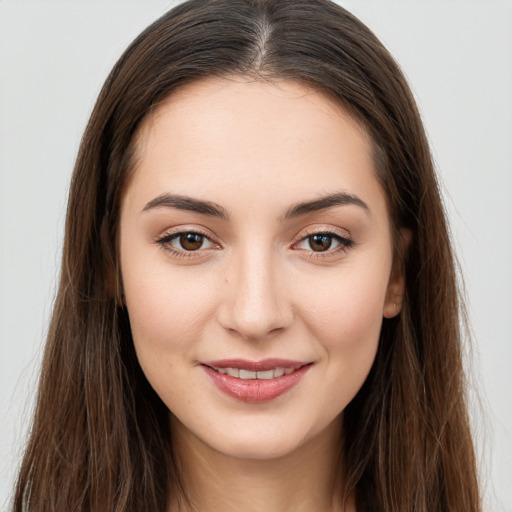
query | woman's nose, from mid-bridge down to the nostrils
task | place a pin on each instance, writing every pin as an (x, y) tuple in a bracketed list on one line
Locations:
[(256, 303)]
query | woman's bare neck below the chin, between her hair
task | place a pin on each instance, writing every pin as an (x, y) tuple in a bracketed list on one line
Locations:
[(307, 480)]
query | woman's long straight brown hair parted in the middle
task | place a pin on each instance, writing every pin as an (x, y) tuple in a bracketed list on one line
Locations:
[(100, 439)]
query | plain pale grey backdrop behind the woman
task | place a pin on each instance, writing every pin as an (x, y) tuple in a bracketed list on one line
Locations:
[(54, 56)]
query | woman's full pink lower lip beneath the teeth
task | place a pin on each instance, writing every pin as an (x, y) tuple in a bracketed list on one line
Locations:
[(256, 390)]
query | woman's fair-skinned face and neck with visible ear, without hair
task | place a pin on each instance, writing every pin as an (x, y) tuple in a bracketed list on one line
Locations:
[(252, 276)]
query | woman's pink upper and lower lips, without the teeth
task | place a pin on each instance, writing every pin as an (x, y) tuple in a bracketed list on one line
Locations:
[(255, 390)]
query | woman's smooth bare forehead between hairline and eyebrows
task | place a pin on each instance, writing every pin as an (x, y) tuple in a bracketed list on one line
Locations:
[(220, 137)]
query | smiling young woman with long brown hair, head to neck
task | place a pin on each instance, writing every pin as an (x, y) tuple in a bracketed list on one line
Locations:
[(258, 307)]
